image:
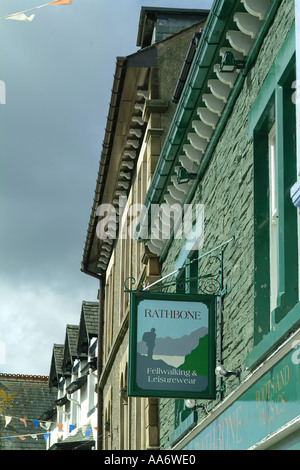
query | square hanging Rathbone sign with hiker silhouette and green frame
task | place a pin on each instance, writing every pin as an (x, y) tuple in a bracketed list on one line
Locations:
[(172, 345)]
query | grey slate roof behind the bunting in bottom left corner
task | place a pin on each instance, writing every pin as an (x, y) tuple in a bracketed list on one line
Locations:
[(23, 396)]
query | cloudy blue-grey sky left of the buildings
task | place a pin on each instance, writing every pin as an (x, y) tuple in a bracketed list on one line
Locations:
[(56, 74)]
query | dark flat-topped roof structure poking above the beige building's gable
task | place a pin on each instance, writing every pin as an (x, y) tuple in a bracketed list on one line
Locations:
[(158, 23)]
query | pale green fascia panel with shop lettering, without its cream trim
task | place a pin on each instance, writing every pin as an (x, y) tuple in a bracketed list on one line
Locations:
[(265, 407)]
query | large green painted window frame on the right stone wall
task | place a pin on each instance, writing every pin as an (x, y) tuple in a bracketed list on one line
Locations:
[(274, 105)]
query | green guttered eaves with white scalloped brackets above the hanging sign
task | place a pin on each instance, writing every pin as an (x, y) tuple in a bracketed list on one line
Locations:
[(207, 99)]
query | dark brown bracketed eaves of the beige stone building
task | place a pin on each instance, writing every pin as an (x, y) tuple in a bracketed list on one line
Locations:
[(119, 148)]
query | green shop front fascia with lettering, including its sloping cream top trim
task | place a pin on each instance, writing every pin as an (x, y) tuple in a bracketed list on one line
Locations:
[(263, 413)]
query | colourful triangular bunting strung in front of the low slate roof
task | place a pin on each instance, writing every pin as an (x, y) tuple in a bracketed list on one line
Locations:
[(86, 430)]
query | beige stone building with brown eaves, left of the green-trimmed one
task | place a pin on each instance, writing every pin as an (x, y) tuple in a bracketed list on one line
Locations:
[(140, 112)]
